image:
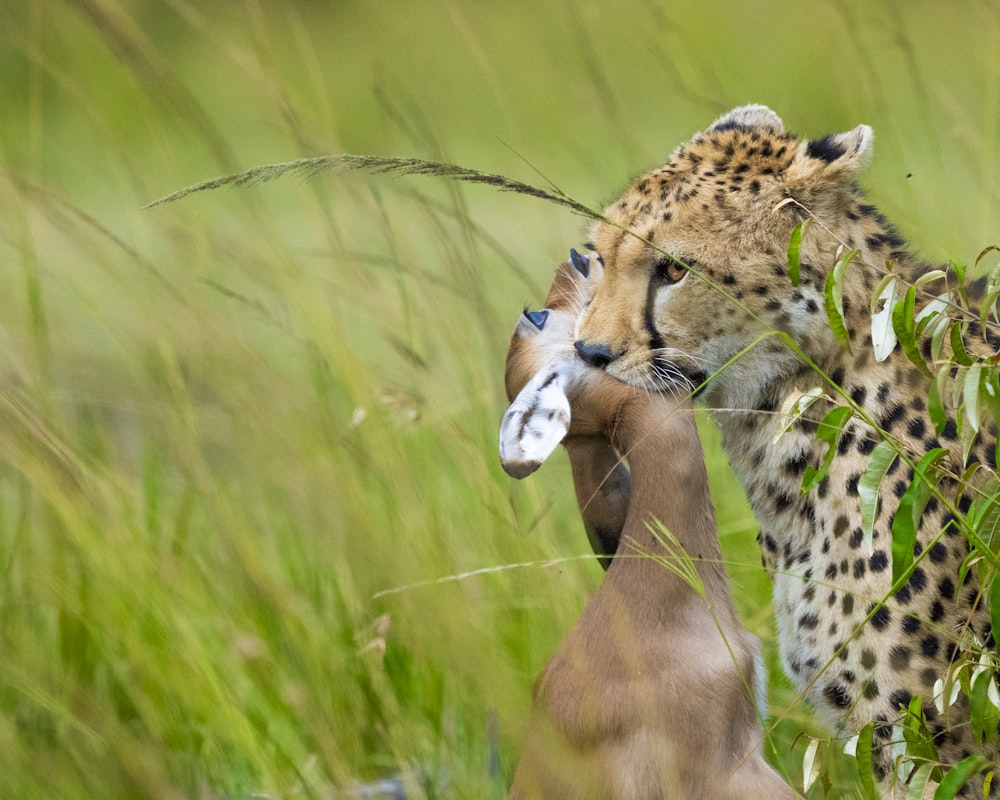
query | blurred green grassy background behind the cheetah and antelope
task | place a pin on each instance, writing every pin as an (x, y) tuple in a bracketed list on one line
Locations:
[(228, 424)]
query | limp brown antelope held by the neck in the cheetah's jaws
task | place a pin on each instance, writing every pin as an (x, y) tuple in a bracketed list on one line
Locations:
[(653, 694)]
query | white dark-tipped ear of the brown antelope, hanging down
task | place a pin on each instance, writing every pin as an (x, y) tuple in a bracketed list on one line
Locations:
[(536, 422)]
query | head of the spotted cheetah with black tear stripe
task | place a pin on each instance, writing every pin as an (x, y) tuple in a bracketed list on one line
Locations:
[(695, 257)]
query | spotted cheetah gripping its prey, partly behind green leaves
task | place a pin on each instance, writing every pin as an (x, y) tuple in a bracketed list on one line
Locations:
[(696, 284)]
